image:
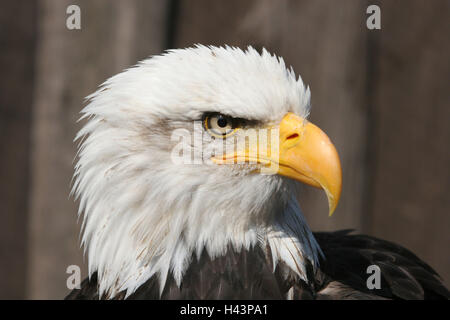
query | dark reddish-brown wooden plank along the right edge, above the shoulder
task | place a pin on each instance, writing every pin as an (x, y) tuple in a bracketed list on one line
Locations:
[(412, 178)]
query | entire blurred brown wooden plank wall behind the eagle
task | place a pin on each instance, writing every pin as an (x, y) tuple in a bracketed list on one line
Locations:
[(382, 96)]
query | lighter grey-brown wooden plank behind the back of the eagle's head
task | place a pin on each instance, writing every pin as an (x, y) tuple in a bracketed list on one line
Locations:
[(70, 65)]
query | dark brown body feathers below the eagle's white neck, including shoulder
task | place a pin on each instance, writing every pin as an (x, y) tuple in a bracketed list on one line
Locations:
[(342, 275)]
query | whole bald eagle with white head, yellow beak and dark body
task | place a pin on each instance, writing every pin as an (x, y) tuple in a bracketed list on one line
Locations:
[(173, 209)]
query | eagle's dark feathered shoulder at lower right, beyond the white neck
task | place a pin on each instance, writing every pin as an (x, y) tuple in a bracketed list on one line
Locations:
[(344, 268)]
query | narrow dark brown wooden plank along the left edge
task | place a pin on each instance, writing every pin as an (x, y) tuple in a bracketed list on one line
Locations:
[(17, 38)]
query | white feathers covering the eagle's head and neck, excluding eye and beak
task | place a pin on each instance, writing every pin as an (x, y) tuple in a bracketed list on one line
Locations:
[(145, 215)]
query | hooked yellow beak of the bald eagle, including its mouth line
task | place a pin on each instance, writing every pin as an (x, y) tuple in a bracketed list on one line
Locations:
[(304, 153)]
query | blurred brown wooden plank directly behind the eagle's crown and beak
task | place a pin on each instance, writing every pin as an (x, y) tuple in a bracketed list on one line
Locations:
[(325, 42)]
